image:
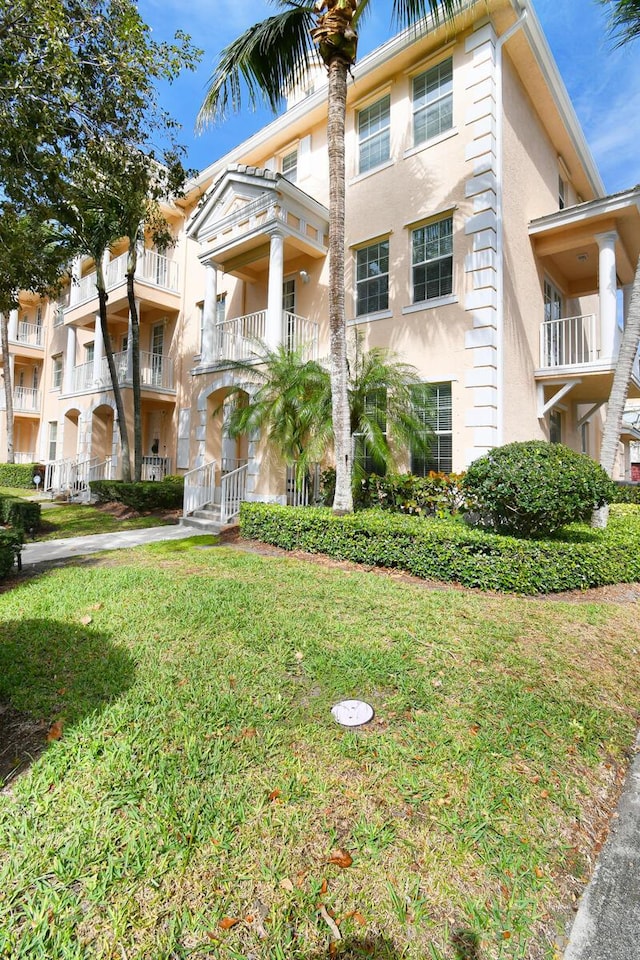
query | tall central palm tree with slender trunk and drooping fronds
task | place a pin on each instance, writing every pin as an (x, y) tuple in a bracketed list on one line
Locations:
[(273, 56)]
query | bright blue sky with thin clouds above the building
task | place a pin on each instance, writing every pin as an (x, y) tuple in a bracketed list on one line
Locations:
[(604, 84)]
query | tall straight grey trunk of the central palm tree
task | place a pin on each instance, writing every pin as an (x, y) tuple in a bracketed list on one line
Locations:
[(343, 500)]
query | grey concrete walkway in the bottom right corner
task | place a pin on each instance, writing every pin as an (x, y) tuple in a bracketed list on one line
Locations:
[(607, 925)]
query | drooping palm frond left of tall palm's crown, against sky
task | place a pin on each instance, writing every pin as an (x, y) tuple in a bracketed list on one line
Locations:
[(266, 60)]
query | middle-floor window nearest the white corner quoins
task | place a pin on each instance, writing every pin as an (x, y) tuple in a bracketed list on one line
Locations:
[(432, 259)]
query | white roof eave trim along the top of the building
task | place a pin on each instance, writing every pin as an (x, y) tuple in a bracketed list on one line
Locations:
[(539, 46)]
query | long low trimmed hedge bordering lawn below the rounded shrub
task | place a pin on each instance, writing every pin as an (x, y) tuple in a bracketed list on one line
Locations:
[(448, 550)]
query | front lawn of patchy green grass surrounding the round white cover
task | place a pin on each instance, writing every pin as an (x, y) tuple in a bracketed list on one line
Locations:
[(197, 799)]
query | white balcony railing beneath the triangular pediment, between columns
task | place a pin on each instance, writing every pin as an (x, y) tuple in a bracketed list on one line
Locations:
[(236, 339)]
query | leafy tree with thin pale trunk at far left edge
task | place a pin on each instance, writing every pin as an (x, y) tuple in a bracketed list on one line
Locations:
[(32, 258)]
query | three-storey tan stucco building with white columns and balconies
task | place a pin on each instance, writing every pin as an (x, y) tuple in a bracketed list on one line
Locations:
[(481, 248)]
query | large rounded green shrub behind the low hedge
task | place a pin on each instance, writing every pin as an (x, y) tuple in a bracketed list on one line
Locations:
[(534, 488)]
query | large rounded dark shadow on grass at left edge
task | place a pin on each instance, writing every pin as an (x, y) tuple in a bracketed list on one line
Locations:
[(59, 673)]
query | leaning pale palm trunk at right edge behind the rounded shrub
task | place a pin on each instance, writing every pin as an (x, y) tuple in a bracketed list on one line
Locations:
[(620, 389)]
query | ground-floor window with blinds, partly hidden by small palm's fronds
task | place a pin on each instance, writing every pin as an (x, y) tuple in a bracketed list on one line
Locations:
[(433, 408)]
